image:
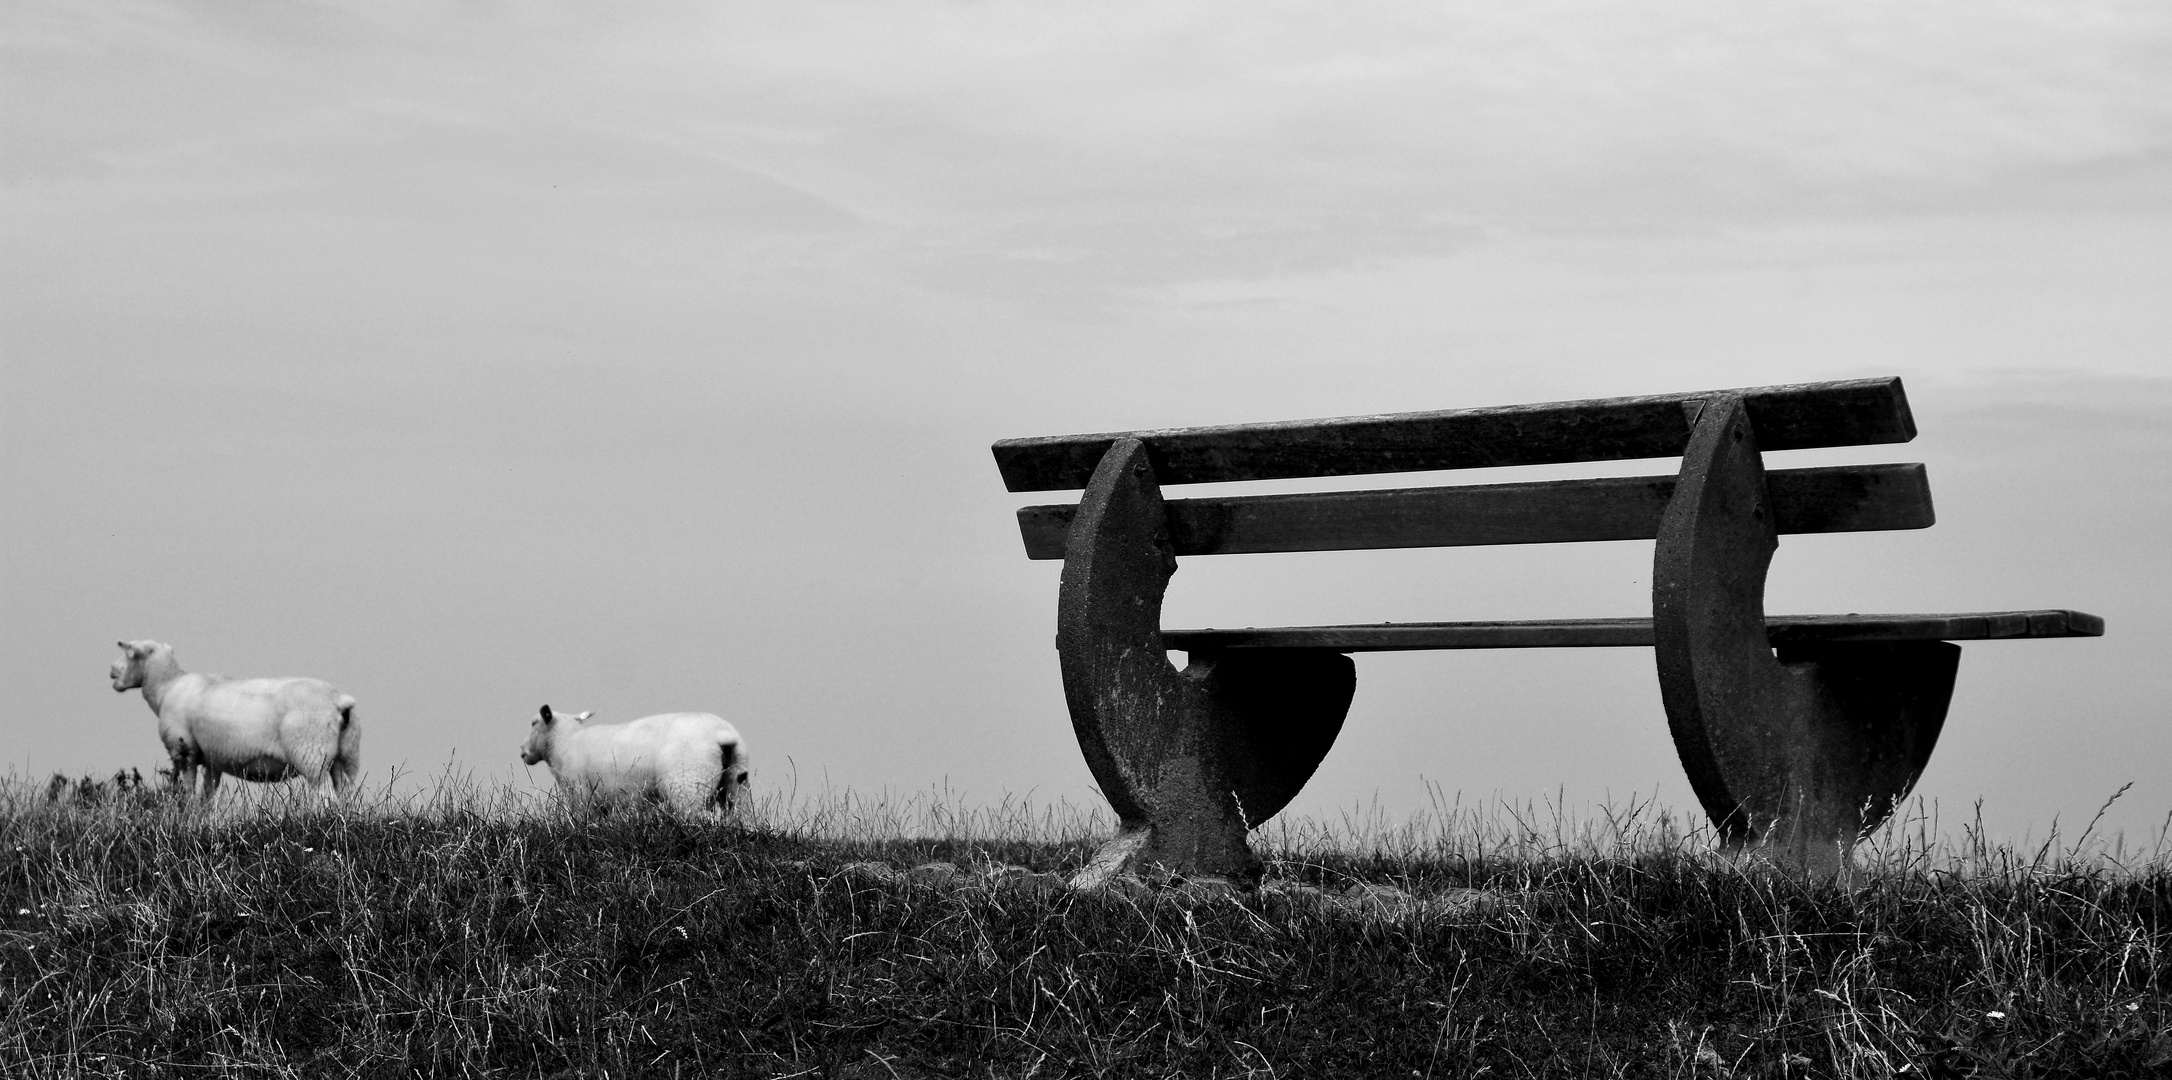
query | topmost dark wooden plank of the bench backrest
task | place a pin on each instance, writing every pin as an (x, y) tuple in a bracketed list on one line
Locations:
[(1604, 429)]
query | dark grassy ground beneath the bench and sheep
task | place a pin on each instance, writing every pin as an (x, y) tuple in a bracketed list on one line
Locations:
[(483, 933)]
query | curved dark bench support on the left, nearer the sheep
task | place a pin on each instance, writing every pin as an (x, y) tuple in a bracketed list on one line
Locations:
[(1187, 759)]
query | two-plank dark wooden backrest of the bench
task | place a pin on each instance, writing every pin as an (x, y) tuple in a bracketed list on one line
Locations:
[(1847, 499)]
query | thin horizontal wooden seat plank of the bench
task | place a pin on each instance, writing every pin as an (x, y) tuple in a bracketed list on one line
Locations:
[(1617, 633)]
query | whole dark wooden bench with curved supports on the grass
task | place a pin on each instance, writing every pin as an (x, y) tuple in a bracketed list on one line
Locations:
[(1800, 733)]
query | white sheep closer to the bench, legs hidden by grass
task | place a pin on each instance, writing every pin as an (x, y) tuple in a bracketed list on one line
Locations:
[(690, 762)]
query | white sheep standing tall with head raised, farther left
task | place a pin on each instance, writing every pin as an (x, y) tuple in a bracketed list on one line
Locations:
[(257, 729)]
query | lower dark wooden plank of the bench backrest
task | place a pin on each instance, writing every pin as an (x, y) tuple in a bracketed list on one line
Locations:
[(1839, 499)]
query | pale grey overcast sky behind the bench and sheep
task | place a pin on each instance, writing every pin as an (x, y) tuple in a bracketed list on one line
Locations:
[(646, 357)]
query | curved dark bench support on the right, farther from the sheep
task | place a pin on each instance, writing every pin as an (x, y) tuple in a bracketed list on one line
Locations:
[(1793, 755)]
